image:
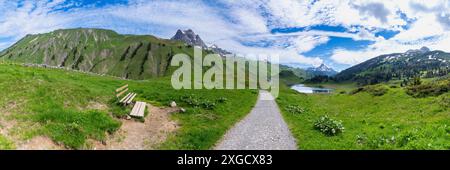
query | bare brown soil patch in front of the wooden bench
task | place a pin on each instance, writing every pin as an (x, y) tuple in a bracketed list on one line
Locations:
[(135, 135)]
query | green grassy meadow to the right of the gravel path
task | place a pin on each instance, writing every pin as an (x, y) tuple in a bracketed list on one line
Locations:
[(392, 121)]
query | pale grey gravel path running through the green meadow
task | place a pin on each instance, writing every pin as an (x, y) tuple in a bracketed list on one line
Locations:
[(262, 129)]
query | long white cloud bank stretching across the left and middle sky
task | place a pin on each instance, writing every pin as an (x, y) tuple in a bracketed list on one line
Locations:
[(167, 15)]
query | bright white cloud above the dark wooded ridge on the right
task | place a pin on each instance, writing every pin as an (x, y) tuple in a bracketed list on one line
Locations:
[(425, 30)]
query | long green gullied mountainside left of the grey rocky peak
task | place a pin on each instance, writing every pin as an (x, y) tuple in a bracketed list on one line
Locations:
[(99, 51)]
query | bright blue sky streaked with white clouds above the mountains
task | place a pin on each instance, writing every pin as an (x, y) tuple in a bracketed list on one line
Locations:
[(339, 33)]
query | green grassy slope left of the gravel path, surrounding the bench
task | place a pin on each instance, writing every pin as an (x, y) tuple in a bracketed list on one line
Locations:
[(58, 104)]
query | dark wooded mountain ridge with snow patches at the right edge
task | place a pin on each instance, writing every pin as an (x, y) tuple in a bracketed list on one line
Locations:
[(420, 62)]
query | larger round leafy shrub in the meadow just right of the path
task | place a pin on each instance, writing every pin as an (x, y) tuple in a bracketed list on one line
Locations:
[(328, 126)]
